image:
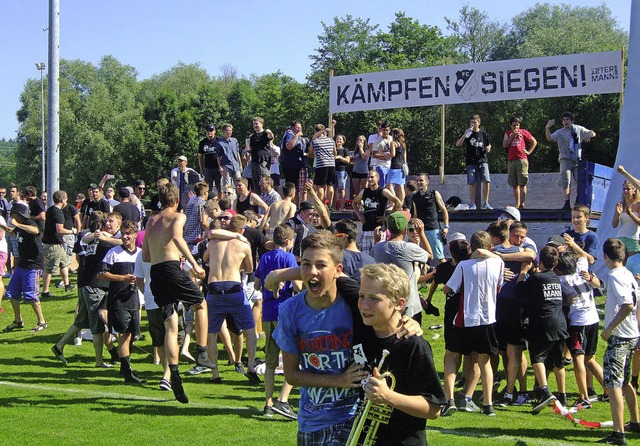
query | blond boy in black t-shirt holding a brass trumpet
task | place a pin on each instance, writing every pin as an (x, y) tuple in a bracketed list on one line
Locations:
[(418, 394)]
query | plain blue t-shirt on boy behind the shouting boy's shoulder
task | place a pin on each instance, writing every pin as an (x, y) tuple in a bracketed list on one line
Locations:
[(270, 261)]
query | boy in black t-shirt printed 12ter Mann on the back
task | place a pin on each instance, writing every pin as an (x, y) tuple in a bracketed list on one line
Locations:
[(542, 296)]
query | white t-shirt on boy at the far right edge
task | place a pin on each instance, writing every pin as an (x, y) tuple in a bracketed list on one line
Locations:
[(622, 289)]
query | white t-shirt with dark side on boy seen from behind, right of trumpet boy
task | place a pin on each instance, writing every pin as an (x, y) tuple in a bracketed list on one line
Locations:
[(482, 279)]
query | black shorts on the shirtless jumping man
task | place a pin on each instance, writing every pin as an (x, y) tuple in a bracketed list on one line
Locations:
[(171, 285)]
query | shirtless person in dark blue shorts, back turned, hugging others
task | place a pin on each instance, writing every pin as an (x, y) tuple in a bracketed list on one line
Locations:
[(226, 294)]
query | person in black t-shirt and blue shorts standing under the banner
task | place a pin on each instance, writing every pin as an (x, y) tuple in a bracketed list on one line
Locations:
[(477, 146)]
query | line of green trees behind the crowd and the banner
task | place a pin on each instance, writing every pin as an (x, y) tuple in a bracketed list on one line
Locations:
[(111, 122)]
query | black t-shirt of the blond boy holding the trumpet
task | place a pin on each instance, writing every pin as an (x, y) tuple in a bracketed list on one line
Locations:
[(411, 363)]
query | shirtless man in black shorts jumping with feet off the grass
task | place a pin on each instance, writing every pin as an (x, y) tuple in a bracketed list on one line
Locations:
[(172, 287)]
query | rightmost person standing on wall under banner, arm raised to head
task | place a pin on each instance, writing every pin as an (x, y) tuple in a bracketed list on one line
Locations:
[(569, 139)]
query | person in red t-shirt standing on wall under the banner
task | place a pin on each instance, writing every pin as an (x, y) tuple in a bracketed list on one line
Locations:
[(516, 141)]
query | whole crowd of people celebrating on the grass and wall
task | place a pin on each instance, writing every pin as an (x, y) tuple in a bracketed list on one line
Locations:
[(237, 252)]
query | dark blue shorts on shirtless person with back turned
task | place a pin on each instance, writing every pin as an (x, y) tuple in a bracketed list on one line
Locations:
[(224, 299)]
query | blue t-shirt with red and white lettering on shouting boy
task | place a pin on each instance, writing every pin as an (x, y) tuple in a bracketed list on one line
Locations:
[(323, 339)]
